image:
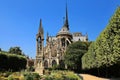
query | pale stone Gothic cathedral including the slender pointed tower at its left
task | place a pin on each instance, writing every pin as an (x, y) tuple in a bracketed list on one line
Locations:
[(53, 52)]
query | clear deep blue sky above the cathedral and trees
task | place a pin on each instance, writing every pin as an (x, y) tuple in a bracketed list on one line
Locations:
[(19, 20)]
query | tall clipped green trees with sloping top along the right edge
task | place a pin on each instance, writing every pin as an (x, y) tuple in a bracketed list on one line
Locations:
[(106, 49)]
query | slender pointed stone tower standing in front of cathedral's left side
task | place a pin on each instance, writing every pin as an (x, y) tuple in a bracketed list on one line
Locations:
[(39, 67)]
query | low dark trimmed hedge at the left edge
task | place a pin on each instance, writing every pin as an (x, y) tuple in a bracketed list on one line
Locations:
[(12, 62)]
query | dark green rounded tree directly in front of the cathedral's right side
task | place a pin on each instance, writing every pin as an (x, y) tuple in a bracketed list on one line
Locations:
[(74, 53)]
